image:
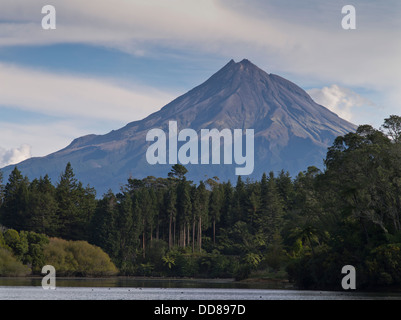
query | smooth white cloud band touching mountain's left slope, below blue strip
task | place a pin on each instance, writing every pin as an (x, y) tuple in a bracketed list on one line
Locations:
[(74, 96)]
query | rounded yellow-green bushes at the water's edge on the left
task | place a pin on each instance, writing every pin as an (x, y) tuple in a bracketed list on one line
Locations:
[(26, 251)]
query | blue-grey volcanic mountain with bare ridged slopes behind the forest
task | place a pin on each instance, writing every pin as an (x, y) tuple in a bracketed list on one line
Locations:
[(291, 131)]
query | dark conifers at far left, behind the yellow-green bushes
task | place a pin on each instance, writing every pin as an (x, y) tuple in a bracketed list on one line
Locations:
[(38, 206)]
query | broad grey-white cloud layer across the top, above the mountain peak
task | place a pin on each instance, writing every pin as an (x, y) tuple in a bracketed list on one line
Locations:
[(304, 39)]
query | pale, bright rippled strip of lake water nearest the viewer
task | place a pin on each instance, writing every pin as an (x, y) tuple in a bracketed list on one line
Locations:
[(99, 293)]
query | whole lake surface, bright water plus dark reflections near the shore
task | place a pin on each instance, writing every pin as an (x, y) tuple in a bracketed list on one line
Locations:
[(169, 289)]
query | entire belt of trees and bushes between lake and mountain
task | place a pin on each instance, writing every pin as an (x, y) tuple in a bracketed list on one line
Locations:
[(303, 228)]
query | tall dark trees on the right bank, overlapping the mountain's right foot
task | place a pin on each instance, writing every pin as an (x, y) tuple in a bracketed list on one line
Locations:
[(350, 213)]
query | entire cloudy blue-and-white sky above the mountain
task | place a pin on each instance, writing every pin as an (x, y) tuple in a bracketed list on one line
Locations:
[(108, 63)]
